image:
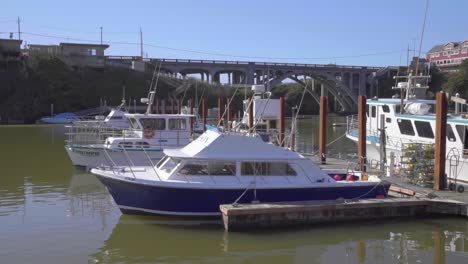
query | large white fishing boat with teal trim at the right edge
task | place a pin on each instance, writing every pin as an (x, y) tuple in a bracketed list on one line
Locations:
[(415, 126)]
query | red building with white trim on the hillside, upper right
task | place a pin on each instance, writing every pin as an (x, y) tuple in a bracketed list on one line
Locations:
[(448, 56)]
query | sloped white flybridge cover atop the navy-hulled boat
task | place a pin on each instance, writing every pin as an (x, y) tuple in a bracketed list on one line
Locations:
[(215, 145)]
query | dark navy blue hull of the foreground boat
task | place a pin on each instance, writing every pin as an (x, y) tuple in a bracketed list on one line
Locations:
[(137, 198)]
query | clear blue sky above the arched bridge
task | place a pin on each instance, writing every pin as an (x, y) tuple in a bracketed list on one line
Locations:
[(284, 31)]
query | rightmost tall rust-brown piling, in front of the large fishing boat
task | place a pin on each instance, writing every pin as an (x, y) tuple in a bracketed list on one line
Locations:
[(441, 131)]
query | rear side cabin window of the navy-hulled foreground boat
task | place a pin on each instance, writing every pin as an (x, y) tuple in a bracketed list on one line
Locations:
[(267, 169)]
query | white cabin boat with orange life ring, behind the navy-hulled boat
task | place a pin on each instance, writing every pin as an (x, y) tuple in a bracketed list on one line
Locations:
[(141, 144)]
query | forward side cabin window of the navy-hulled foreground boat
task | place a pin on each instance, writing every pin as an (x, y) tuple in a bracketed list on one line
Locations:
[(214, 168)]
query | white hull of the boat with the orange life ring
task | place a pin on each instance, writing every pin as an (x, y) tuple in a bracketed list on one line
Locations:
[(91, 157)]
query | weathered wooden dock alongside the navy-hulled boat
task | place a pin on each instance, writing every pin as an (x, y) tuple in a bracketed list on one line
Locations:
[(407, 201)]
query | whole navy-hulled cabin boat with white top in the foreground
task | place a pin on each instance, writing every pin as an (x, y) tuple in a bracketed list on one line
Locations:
[(224, 168)]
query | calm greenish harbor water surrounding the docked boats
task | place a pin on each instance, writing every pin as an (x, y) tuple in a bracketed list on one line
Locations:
[(52, 213)]
